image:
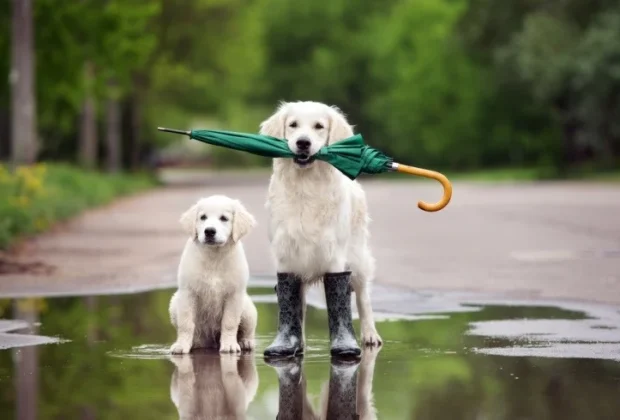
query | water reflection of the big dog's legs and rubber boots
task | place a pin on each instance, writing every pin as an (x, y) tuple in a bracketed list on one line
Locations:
[(347, 395)]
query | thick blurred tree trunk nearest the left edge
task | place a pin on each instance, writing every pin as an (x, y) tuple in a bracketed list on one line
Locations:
[(23, 102)]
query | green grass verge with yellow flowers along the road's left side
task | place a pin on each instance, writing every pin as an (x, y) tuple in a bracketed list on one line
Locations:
[(35, 197)]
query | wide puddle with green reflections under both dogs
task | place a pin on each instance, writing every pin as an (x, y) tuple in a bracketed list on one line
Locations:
[(453, 356)]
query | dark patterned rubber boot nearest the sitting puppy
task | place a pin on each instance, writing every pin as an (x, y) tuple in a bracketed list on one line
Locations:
[(288, 341)]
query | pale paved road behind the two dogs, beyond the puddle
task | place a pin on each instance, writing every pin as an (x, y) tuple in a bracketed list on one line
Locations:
[(539, 240)]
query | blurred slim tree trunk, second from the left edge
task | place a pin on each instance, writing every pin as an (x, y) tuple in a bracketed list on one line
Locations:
[(88, 129)]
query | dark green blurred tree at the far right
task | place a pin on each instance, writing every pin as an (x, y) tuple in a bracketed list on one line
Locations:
[(536, 54)]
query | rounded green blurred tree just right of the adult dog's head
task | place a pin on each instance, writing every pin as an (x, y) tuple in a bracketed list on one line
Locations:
[(426, 101)]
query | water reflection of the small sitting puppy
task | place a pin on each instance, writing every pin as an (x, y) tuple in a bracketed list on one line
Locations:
[(213, 386)]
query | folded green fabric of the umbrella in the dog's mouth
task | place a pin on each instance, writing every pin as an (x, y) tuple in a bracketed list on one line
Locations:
[(350, 156)]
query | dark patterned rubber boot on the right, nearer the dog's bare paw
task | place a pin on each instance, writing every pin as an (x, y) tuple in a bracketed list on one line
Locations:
[(338, 299)]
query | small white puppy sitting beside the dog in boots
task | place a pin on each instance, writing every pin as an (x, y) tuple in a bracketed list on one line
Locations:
[(211, 306)]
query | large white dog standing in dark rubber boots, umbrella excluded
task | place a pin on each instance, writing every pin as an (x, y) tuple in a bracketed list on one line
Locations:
[(318, 230)]
